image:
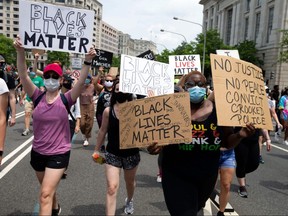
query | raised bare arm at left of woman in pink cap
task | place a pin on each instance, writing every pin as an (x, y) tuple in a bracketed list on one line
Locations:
[(28, 85)]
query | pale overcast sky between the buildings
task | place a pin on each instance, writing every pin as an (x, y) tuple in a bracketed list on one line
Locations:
[(144, 19)]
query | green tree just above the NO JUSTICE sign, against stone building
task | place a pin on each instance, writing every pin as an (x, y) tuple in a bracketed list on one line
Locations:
[(248, 52)]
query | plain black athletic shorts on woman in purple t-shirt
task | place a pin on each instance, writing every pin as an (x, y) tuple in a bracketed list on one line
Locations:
[(39, 162)]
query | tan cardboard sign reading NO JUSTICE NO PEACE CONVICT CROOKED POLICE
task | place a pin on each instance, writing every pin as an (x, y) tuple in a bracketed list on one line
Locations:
[(240, 94)]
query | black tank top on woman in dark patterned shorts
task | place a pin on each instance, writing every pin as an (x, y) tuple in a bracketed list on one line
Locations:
[(113, 145)]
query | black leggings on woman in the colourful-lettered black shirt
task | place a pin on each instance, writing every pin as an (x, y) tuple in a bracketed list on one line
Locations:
[(185, 194)]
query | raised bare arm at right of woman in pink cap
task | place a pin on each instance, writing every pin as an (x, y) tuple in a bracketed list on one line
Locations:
[(76, 90)]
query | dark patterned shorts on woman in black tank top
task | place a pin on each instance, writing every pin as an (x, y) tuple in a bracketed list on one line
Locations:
[(127, 163)]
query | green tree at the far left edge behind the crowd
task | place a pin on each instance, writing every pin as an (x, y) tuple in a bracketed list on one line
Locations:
[(7, 50)]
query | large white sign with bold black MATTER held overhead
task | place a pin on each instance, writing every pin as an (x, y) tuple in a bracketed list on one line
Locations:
[(54, 27)]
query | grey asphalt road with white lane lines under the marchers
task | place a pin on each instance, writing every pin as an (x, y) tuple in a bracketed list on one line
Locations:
[(83, 192)]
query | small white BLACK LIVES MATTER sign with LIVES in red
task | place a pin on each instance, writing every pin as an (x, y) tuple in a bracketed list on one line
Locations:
[(184, 64)]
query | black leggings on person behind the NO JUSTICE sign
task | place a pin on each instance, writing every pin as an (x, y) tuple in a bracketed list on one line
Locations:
[(247, 157)]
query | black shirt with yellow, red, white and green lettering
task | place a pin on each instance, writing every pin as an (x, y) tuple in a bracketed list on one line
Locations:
[(200, 158)]
